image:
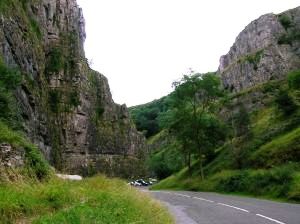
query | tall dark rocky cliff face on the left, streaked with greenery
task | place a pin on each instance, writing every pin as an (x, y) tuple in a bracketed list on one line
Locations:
[(66, 108)]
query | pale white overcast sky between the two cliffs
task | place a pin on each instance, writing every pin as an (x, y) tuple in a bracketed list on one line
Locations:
[(142, 46)]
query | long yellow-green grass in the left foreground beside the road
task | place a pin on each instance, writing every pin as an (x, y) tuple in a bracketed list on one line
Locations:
[(93, 200)]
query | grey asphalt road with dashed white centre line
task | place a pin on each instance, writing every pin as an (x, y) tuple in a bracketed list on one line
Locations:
[(213, 208)]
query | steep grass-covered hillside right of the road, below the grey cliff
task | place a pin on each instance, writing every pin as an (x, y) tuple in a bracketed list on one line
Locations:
[(261, 153)]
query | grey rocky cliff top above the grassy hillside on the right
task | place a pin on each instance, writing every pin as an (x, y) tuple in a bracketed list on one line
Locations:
[(266, 49)]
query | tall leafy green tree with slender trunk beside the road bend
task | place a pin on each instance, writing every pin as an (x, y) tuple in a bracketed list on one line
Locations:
[(194, 122)]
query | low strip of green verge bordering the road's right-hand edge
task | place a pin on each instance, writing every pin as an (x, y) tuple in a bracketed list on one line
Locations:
[(277, 183)]
